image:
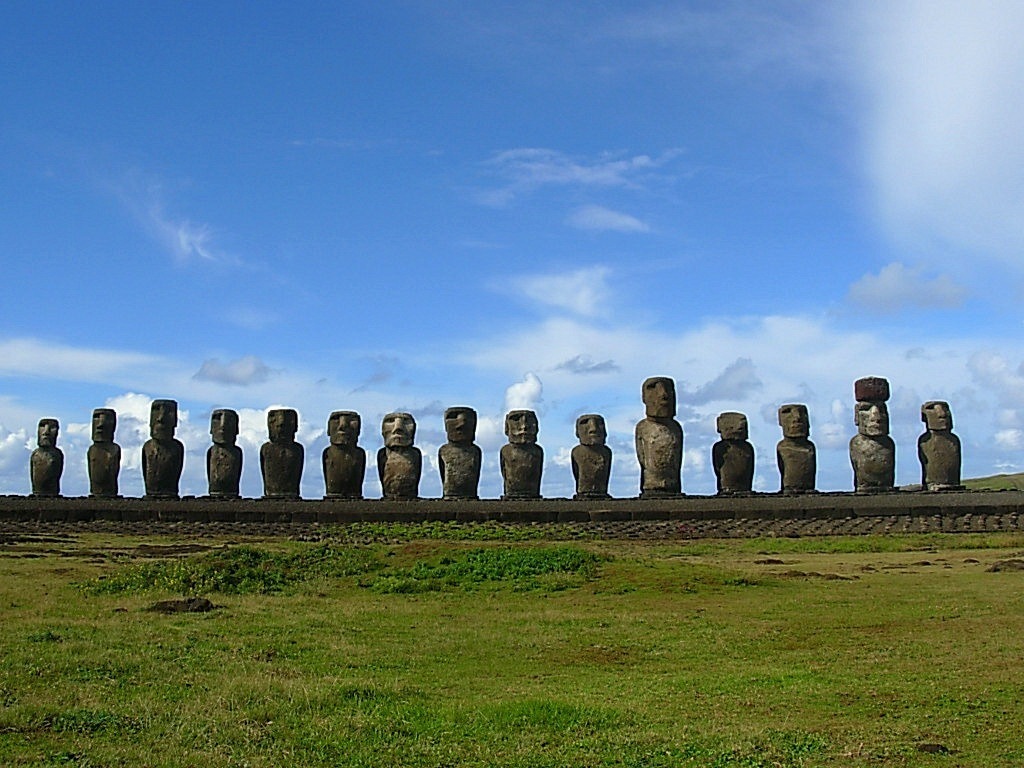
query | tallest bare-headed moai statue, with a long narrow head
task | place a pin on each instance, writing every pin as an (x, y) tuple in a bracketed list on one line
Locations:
[(660, 442)]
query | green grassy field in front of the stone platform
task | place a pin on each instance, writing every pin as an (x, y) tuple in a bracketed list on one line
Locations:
[(861, 652)]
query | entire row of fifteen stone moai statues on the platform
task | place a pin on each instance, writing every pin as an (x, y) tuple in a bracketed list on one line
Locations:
[(400, 463)]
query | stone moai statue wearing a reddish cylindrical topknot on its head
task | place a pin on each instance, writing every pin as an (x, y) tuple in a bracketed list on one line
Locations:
[(873, 452)]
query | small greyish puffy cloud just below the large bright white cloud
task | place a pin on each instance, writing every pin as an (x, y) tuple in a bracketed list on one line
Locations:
[(899, 286)]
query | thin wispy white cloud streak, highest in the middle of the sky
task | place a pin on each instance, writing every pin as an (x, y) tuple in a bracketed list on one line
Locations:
[(526, 170)]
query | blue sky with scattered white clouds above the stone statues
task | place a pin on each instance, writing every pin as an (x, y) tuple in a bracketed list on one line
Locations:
[(413, 205)]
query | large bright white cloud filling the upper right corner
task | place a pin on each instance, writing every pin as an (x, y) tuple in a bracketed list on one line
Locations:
[(942, 83)]
